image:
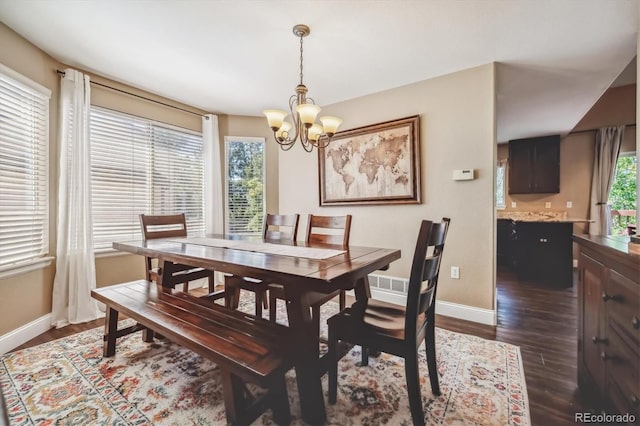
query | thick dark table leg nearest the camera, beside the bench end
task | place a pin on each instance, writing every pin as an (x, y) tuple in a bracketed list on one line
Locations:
[(307, 362)]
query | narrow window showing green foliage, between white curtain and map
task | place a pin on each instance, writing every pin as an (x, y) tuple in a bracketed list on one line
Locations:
[(245, 185)]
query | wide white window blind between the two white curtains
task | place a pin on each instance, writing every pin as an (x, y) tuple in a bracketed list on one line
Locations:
[(140, 166)]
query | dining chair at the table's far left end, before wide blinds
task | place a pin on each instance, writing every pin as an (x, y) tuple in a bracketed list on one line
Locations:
[(173, 226)]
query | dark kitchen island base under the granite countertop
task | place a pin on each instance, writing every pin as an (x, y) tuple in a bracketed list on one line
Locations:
[(543, 251)]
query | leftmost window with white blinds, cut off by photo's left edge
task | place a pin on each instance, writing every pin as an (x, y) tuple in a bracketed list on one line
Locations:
[(24, 170)]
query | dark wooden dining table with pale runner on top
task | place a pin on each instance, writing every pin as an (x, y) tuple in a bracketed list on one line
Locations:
[(346, 268)]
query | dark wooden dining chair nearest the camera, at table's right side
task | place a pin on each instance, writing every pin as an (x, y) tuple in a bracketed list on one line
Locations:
[(386, 327)]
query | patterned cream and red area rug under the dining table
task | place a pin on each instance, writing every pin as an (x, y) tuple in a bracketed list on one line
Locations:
[(67, 381)]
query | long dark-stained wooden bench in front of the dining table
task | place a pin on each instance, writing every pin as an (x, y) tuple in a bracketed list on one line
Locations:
[(245, 348)]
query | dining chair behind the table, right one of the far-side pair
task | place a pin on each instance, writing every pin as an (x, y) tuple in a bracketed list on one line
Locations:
[(334, 230)]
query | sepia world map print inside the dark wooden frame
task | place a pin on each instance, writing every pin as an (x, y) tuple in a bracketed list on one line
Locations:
[(369, 166)]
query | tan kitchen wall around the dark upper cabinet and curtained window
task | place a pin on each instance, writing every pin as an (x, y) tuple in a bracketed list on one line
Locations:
[(616, 106)]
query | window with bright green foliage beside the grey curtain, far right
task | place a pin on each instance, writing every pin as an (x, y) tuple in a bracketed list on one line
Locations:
[(622, 197)]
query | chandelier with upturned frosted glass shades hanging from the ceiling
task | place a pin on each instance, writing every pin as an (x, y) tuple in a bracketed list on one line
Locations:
[(303, 115)]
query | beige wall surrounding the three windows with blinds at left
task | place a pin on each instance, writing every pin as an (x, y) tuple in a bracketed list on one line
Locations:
[(27, 297)]
